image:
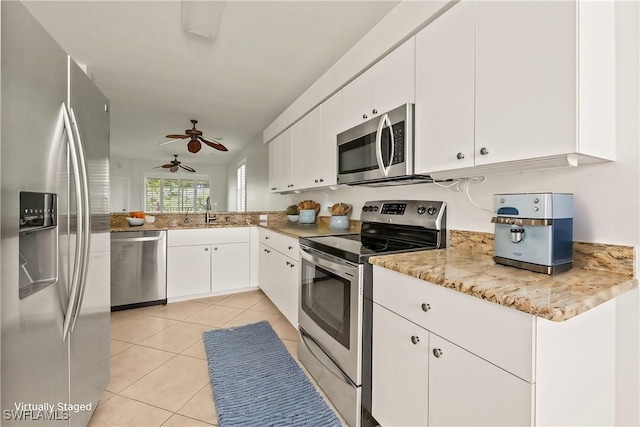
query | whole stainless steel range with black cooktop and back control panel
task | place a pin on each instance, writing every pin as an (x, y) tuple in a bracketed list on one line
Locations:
[(335, 313)]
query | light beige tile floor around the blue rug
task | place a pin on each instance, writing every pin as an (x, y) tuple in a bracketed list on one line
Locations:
[(159, 371)]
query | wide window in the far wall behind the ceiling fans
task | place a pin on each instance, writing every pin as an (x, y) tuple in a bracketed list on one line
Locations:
[(163, 194)]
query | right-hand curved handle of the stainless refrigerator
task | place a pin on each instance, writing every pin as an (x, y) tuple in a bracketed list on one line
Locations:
[(86, 231)]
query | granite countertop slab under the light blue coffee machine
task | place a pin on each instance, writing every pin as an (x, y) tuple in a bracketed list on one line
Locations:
[(557, 298)]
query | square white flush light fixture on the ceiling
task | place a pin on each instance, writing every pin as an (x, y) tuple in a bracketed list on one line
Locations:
[(202, 18)]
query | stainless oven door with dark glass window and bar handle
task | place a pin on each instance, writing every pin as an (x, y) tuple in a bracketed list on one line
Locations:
[(330, 311)]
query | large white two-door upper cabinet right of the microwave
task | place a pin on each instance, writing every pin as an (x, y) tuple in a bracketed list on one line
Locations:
[(544, 87)]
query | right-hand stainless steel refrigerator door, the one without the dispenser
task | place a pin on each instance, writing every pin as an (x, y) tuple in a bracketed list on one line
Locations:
[(89, 339)]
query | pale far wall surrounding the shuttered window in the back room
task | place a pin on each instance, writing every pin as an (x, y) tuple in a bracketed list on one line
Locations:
[(135, 169)]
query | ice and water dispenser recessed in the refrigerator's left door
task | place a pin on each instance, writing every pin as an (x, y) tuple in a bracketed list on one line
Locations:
[(38, 258)]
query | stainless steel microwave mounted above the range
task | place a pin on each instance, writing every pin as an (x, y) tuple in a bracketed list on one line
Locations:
[(379, 152)]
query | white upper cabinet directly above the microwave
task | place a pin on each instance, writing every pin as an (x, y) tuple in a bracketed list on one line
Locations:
[(386, 85)]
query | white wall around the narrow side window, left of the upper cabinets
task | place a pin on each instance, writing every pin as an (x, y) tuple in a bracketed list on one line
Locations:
[(257, 175)]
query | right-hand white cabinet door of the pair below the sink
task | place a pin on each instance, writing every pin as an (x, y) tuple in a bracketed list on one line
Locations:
[(229, 266)]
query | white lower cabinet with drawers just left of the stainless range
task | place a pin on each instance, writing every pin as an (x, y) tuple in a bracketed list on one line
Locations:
[(279, 274)]
